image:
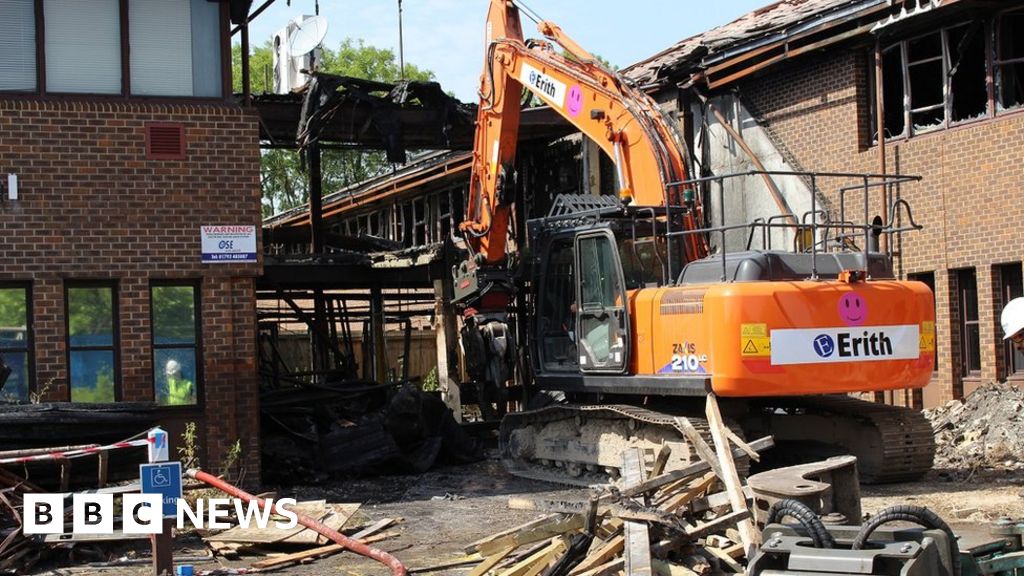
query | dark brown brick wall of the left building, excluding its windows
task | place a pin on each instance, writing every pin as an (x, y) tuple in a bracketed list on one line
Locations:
[(93, 208)]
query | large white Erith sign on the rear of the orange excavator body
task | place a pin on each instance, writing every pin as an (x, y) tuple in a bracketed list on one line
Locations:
[(820, 346)]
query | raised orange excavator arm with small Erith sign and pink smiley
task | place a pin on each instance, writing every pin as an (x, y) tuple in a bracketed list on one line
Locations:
[(626, 124)]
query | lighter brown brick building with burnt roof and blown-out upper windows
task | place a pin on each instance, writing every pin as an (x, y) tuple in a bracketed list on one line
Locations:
[(798, 79)]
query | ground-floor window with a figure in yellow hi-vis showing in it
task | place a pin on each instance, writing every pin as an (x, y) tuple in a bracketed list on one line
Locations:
[(177, 366)]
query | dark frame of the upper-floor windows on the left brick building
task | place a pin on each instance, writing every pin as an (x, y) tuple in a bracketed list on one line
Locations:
[(41, 91)]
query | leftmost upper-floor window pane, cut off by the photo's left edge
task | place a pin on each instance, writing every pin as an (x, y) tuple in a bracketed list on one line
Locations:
[(18, 45)]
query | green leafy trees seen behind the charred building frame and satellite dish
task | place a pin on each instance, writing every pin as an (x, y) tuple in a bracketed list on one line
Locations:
[(283, 182)]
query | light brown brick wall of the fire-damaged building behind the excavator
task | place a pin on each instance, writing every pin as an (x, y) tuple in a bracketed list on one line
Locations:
[(970, 200)]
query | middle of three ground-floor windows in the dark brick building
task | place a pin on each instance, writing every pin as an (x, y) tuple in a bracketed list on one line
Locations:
[(93, 343)]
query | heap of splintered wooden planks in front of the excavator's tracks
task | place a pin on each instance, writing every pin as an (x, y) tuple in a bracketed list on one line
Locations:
[(691, 521)]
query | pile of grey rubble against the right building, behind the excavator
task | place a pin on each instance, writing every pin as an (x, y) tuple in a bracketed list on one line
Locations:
[(982, 431)]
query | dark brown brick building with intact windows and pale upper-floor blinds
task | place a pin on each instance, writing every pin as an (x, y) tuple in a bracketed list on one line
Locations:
[(118, 121)]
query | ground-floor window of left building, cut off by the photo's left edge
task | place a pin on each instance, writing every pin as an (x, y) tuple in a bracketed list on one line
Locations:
[(16, 342)]
